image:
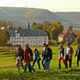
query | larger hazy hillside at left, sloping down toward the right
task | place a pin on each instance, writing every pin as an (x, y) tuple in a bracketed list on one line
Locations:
[(22, 15)]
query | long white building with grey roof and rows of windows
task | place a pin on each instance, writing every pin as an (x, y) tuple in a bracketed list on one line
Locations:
[(33, 37)]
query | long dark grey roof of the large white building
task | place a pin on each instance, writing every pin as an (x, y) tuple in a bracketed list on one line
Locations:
[(27, 32)]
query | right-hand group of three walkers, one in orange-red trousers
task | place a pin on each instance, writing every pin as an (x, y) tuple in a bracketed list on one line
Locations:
[(66, 55)]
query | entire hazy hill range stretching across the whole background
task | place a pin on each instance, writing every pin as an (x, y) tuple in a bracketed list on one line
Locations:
[(23, 15)]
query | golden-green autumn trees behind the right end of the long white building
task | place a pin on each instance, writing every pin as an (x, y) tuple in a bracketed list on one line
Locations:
[(52, 29)]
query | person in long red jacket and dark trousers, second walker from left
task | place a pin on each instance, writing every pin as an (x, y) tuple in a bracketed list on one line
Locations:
[(28, 58)]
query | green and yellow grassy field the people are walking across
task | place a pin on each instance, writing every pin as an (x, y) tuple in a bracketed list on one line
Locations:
[(8, 69)]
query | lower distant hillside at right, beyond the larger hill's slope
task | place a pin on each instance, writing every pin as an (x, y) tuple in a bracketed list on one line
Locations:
[(72, 17)]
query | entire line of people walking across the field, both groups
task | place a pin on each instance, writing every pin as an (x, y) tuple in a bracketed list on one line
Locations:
[(30, 59)]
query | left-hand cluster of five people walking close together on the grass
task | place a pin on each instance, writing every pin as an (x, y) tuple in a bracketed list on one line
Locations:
[(30, 59)]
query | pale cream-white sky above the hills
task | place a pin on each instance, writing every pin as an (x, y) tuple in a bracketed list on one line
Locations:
[(52, 5)]
